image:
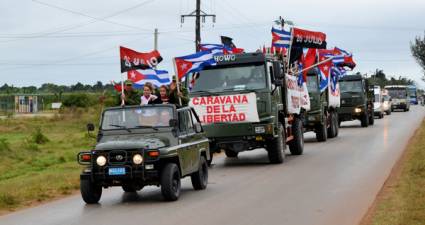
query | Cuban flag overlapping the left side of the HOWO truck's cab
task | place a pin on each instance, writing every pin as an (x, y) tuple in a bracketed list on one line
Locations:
[(193, 63)]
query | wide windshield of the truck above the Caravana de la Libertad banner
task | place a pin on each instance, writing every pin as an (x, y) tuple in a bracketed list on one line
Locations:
[(230, 78)]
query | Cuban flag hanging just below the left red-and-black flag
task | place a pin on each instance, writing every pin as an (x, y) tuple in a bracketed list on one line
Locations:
[(141, 77)]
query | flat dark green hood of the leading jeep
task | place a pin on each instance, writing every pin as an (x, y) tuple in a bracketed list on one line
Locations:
[(117, 142)]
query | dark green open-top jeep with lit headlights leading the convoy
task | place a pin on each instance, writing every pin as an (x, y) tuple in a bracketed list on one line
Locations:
[(145, 145)]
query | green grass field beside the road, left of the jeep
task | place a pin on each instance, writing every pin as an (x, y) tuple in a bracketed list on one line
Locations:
[(38, 156)]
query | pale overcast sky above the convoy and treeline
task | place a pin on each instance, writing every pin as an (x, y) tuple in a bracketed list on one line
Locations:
[(69, 41)]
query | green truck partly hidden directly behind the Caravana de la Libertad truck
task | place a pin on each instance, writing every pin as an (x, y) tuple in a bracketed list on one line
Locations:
[(323, 115)]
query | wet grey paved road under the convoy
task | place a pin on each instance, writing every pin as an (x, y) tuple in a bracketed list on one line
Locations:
[(332, 183)]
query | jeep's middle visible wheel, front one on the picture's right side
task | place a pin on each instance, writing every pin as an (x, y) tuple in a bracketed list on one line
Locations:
[(170, 182)]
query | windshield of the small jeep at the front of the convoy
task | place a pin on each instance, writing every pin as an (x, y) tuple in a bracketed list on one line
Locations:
[(132, 118)]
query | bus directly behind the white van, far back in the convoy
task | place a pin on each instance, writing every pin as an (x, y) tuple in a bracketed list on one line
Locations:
[(400, 97)]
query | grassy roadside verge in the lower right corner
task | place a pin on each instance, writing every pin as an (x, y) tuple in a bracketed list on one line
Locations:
[(403, 202)]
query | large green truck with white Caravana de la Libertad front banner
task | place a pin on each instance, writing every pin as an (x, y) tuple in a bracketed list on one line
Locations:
[(246, 102)]
